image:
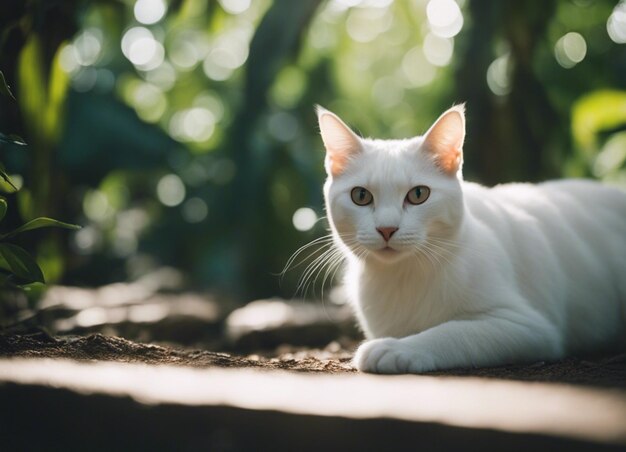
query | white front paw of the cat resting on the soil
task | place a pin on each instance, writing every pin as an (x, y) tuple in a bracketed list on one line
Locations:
[(391, 356)]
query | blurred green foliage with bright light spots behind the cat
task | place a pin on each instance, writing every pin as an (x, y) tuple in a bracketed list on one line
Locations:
[(181, 134)]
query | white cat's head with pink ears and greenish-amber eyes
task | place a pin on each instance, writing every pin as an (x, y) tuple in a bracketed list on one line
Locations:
[(391, 199)]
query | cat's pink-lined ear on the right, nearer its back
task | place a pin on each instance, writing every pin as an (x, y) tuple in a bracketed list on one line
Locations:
[(445, 140)]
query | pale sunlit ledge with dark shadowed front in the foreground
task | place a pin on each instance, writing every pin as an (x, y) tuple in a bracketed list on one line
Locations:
[(437, 410)]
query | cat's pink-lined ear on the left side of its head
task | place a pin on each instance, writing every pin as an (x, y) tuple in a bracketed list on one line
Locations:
[(340, 142)]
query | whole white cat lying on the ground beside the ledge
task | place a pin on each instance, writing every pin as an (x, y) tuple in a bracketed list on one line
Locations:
[(444, 273)]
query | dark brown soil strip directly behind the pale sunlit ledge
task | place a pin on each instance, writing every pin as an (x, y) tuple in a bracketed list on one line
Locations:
[(604, 371)]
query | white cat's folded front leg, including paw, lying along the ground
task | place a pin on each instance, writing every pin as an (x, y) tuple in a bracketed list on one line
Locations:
[(500, 338)]
